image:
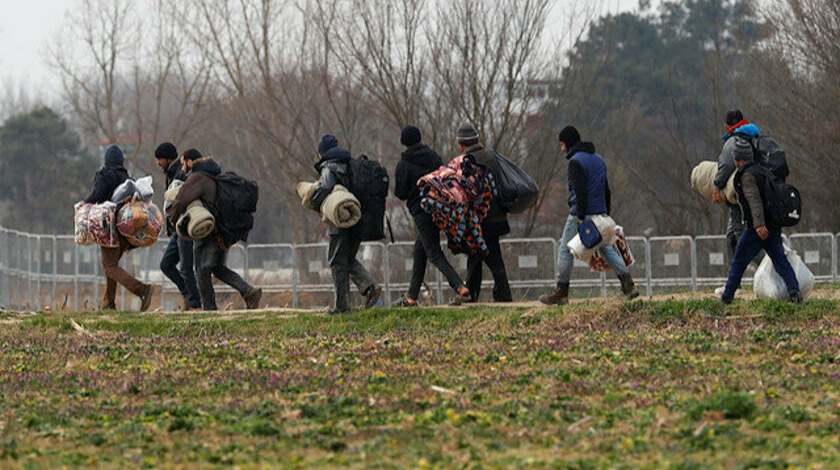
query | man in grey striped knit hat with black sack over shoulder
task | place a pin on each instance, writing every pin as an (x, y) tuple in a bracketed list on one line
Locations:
[(493, 227)]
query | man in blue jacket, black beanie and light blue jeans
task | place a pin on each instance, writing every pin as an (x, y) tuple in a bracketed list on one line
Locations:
[(589, 194)]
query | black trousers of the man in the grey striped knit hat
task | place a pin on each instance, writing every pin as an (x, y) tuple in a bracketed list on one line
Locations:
[(492, 231)]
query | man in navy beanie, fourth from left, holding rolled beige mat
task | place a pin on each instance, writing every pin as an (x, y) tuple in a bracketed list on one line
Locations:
[(334, 168)]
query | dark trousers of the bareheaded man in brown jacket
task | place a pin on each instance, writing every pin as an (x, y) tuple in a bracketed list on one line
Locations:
[(210, 260)]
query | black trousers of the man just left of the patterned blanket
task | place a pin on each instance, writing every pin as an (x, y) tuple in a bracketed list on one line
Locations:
[(427, 247)]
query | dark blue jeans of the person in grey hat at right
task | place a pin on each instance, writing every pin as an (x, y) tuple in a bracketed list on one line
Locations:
[(748, 246)]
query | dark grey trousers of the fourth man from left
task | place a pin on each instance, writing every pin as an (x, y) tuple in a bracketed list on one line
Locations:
[(345, 266)]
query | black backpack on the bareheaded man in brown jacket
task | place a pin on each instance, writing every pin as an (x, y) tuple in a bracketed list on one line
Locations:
[(236, 202)]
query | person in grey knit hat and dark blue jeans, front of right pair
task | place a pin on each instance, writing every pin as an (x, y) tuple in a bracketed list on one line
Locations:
[(751, 180)]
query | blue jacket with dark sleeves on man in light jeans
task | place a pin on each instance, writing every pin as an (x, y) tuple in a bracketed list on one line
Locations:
[(589, 188)]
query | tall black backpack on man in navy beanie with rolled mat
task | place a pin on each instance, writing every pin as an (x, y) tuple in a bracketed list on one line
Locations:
[(369, 181)]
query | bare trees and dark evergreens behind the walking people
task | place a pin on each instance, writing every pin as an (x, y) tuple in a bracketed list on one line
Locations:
[(256, 82)]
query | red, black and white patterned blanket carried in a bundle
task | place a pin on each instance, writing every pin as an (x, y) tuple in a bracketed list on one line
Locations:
[(458, 196)]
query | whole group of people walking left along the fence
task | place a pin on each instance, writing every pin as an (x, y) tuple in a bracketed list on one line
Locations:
[(191, 265)]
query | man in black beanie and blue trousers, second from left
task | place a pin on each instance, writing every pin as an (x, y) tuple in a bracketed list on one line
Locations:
[(178, 249)]
